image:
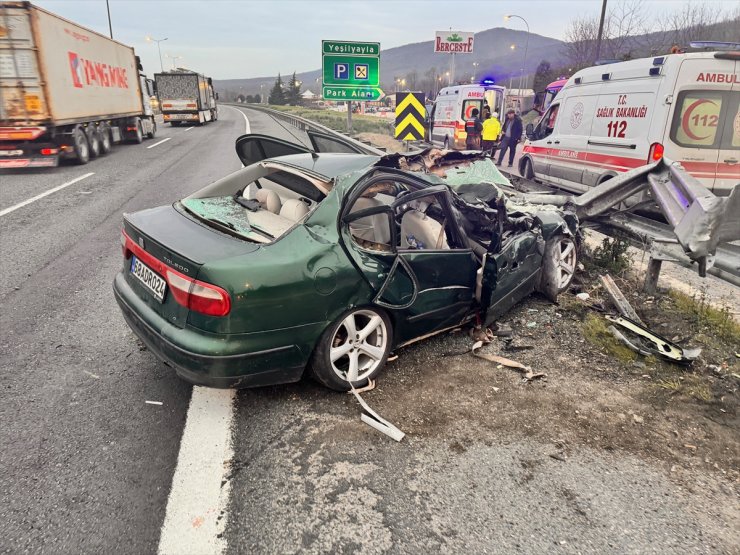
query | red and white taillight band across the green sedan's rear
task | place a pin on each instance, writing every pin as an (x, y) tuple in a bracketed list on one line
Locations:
[(191, 293)]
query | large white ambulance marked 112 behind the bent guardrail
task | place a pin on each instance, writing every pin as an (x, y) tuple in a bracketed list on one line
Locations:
[(612, 118)]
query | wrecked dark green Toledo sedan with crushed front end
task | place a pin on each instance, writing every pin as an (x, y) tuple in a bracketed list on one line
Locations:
[(307, 260)]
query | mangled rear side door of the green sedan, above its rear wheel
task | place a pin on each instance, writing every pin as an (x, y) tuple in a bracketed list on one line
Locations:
[(424, 287)]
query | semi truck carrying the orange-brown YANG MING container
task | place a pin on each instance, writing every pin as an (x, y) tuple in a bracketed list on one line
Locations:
[(66, 91)]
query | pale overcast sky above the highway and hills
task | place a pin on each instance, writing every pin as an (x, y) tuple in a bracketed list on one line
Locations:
[(253, 38)]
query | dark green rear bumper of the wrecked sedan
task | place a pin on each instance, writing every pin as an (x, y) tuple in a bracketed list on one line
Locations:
[(223, 361)]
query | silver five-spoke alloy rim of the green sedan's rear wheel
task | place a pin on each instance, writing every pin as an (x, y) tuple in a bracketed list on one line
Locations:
[(358, 345)]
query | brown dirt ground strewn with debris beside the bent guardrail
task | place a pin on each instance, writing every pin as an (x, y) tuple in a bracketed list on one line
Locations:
[(596, 394)]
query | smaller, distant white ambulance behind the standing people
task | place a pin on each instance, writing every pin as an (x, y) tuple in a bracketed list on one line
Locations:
[(454, 106)]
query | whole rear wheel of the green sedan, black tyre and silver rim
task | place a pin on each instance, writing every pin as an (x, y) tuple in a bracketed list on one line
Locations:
[(367, 351)]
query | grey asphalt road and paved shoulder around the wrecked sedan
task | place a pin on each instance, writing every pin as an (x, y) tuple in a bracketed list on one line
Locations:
[(87, 464)]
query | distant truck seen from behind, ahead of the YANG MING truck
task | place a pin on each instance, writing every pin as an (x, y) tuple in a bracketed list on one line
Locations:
[(186, 96)]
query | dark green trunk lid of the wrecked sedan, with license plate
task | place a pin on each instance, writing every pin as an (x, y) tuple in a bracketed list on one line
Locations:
[(170, 245)]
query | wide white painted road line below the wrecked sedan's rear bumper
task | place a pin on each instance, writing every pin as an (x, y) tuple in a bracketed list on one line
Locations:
[(196, 508)]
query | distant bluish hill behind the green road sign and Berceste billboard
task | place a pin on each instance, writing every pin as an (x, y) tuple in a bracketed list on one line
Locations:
[(414, 62)]
